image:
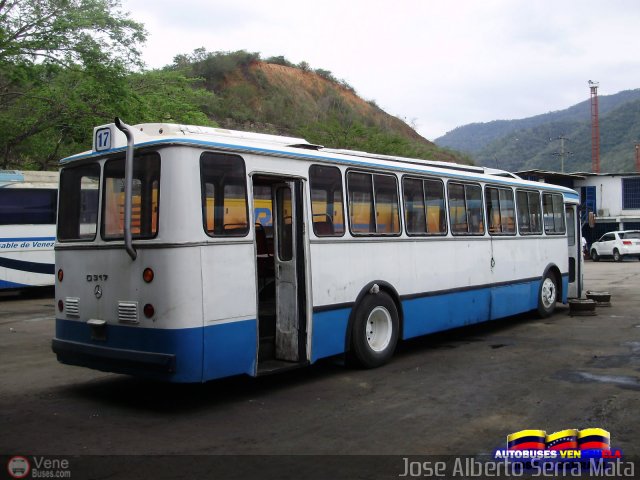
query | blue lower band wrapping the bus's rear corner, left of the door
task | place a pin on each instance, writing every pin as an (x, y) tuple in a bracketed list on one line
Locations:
[(201, 353)]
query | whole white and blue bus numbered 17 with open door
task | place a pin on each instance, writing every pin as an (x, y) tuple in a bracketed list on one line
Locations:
[(187, 253)]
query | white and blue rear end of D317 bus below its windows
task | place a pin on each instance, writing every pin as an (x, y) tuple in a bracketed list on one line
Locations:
[(110, 289)]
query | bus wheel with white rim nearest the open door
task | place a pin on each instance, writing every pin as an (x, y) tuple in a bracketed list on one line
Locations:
[(374, 332)]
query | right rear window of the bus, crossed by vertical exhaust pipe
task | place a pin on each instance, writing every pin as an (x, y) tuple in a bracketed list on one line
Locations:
[(145, 197)]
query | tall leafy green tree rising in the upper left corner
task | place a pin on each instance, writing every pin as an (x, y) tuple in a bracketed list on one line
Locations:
[(62, 63)]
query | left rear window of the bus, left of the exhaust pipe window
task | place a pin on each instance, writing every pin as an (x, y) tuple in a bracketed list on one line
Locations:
[(78, 211)]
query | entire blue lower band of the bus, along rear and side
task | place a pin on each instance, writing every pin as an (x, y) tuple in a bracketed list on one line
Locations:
[(227, 349)]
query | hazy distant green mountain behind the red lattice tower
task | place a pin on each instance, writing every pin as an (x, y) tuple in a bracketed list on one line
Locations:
[(533, 142)]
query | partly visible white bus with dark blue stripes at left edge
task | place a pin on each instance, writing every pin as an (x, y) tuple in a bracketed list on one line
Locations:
[(28, 202)]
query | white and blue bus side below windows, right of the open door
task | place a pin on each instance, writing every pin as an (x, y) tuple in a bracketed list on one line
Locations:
[(437, 291)]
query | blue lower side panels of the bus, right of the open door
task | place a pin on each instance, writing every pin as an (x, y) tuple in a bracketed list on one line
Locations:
[(435, 313)]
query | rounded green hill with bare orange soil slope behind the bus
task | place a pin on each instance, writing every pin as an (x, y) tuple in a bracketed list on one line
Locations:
[(275, 96)]
